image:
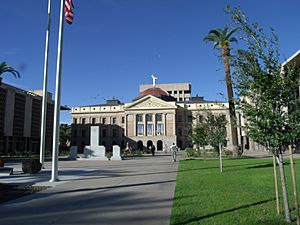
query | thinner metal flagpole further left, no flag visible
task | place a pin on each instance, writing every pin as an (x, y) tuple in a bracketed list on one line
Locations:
[(45, 98)]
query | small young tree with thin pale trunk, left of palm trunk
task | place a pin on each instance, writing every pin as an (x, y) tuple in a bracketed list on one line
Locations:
[(216, 133)]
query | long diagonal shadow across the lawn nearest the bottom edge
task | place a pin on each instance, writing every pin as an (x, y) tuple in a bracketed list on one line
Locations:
[(197, 219)]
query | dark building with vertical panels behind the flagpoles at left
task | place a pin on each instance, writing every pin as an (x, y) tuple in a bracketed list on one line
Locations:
[(20, 120)]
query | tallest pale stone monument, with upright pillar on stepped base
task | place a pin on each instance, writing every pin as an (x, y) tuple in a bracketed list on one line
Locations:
[(94, 150)]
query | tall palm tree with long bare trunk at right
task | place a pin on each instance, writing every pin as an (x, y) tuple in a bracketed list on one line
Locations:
[(221, 39)]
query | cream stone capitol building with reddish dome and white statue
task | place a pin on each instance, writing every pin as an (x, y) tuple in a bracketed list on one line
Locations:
[(160, 115)]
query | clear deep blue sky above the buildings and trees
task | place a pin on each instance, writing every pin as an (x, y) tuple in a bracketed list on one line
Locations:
[(113, 46)]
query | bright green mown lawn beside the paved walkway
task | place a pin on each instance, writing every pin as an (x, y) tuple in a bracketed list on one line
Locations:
[(242, 194)]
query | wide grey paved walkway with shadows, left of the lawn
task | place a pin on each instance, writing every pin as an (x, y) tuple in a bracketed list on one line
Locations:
[(133, 191)]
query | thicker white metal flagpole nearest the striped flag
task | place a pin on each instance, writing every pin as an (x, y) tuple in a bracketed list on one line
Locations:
[(54, 174)]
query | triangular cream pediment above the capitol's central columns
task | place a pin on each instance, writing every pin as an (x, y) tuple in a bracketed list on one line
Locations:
[(151, 102)]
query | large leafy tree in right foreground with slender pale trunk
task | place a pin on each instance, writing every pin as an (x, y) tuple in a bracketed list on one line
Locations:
[(267, 93)]
